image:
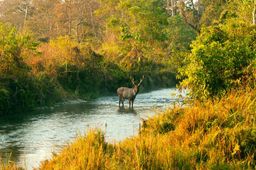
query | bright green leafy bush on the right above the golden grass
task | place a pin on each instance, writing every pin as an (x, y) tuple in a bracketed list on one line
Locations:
[(219, 58)]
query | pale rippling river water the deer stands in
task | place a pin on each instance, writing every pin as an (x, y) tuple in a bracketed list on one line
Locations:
[(28, 138)]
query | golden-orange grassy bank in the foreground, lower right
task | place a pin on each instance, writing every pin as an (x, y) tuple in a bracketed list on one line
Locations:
[(216, 134)]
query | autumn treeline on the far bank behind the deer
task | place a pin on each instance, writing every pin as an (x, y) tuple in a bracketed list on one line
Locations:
[(52, 49)]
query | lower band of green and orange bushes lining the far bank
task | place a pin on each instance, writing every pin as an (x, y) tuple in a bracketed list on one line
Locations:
[(35, 74)]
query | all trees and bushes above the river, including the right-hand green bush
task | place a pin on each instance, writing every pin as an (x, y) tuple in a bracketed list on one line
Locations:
[(53, 49)]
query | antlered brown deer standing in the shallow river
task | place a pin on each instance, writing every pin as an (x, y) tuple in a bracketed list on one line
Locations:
[(129, 93)]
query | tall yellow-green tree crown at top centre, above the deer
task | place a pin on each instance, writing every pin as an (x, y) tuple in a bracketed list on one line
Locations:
[(134, 23)]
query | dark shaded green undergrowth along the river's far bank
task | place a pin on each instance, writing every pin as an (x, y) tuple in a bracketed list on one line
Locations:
[(52, 92)]
